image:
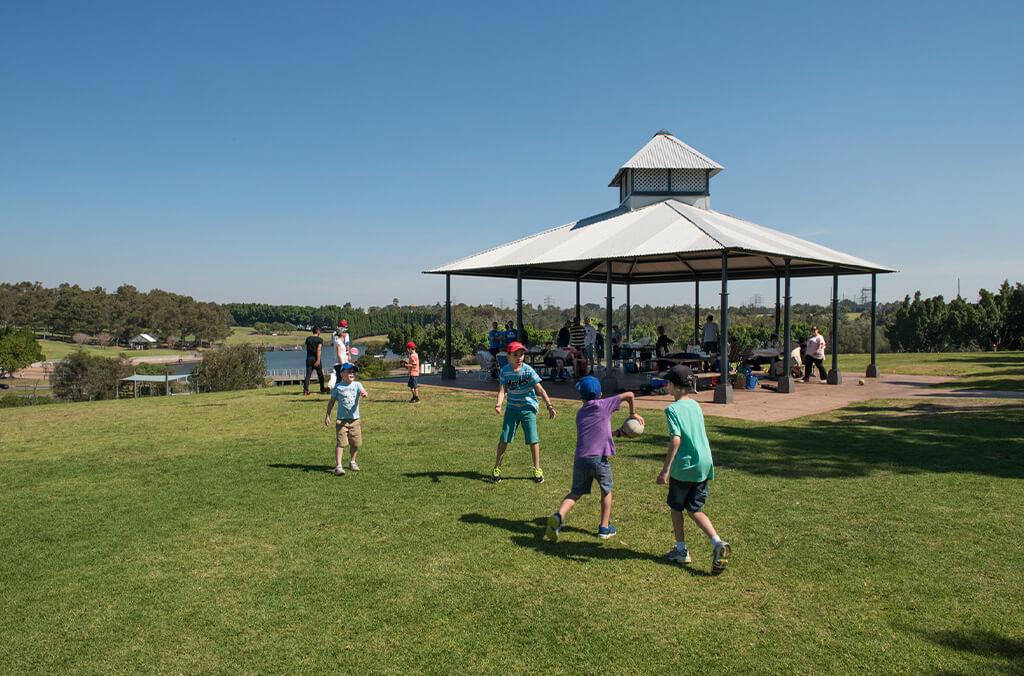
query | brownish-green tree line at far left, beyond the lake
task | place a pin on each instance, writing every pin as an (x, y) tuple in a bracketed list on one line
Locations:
[(112, 318)]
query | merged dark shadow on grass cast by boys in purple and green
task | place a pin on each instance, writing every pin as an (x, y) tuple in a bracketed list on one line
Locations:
[(531, 536)]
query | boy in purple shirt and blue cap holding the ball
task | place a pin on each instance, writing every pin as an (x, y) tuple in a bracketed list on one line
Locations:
[(594, 447)]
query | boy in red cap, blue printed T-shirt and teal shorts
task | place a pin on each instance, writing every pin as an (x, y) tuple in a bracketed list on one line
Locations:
[(521, 383)]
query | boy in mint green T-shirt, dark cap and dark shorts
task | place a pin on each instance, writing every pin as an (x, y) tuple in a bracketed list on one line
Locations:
[(688, 470)]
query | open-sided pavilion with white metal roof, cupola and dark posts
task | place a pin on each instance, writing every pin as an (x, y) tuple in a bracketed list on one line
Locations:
[(665, 231)]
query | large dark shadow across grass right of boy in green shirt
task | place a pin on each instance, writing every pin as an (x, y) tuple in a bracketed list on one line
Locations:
[(923, 437)]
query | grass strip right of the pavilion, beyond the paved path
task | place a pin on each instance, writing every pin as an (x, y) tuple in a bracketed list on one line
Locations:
[(1003, 371)]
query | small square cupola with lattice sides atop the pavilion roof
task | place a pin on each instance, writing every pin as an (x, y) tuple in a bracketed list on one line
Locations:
[(665, 170)]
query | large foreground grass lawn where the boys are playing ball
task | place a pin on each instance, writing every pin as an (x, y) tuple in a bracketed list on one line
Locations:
[(204, 534)]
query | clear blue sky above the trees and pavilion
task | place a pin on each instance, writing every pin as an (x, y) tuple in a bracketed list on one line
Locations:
[(317, 153)]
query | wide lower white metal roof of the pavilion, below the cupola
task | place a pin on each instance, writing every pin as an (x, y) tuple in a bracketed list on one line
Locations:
[(669, 241)]
